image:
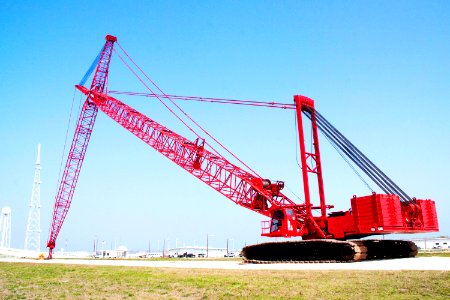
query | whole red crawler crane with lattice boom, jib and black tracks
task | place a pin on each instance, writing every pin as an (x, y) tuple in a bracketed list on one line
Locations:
[(393, 212)]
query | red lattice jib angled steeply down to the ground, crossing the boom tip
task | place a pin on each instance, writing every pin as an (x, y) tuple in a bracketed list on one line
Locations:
[(79, 145)]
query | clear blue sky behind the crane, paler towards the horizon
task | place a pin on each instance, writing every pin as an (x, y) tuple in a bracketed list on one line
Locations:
[(378, 70)]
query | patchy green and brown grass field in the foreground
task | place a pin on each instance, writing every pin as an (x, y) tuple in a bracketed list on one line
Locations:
[(27, 281)]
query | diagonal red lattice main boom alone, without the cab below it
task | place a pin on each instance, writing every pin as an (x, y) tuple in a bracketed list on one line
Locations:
[(231, 181)]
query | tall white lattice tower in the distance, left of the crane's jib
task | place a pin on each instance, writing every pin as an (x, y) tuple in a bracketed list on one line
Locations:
[(33, 234)]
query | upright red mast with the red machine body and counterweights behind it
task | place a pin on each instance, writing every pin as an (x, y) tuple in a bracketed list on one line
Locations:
[(370, 215)]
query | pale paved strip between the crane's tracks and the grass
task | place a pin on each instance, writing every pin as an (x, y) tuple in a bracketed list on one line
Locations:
[(421, 263)]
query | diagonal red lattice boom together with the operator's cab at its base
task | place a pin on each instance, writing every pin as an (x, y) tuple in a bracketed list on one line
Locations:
[(243, 188)]
